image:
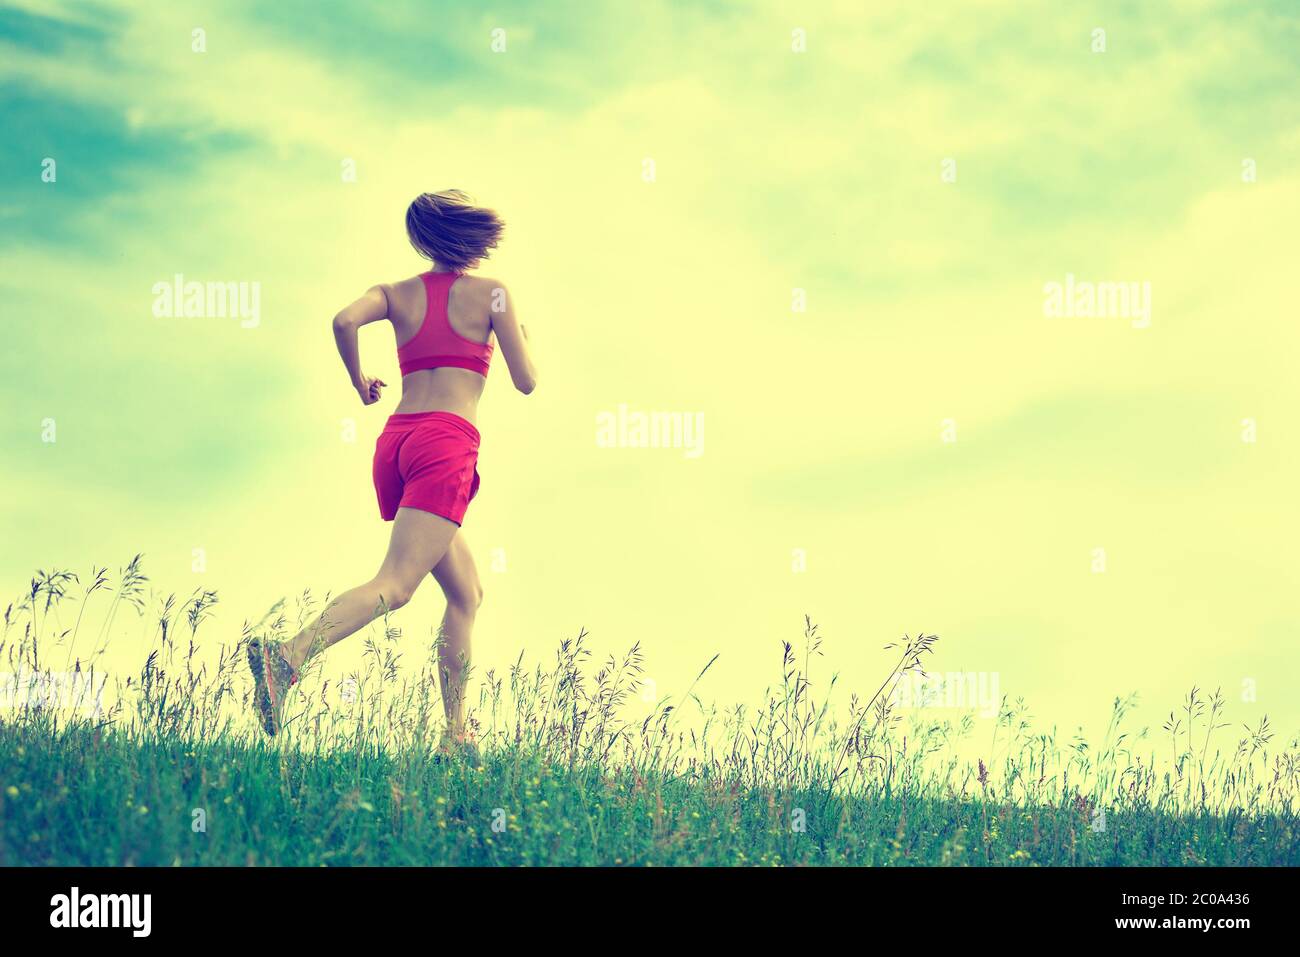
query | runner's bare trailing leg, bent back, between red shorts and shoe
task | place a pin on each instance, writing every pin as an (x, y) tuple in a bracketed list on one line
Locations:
[(419, 543)]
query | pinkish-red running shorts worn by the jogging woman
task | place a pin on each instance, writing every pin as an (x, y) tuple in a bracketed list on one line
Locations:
[(427, 461)]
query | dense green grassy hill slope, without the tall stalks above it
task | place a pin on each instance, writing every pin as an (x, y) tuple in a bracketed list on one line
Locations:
[(85, 798)]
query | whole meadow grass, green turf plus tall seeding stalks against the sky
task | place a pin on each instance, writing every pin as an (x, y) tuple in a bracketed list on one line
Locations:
[(174, 770)]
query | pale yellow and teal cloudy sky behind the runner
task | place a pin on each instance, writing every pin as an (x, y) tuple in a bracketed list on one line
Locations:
[(830, 237)]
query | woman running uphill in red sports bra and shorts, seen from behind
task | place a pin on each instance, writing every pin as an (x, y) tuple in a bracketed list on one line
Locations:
[(426, 460)]
